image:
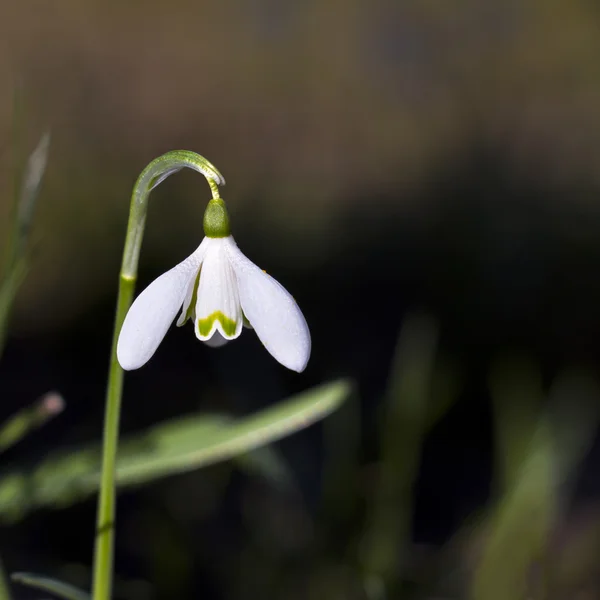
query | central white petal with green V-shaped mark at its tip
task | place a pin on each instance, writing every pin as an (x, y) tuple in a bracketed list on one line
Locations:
[(218, 304)]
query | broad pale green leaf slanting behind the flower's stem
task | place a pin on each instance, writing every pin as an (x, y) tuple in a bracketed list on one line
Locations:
[(174, 447)]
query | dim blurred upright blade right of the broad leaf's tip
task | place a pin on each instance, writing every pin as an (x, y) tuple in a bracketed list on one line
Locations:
[(405, 422)]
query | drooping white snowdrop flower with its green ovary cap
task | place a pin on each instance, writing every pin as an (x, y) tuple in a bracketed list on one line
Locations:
[(220, 290)]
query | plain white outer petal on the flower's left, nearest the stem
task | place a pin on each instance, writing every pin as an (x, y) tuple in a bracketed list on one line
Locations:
[(153, 312)]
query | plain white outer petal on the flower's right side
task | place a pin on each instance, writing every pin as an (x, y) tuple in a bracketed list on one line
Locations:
[(274, 314)]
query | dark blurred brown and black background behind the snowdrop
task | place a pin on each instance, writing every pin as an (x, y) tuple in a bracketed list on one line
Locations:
[(382, 159)]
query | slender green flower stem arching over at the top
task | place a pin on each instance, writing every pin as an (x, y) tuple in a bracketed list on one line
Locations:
[(156, 172)]
